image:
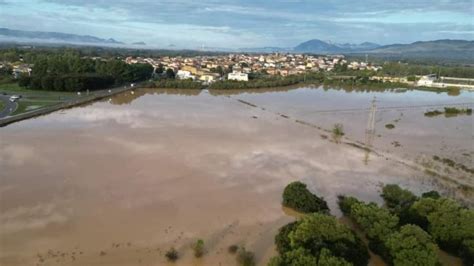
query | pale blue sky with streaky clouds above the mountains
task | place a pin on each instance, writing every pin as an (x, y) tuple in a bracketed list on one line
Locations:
[(245, 23)]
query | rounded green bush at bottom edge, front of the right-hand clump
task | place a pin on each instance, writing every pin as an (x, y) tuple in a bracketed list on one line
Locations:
[(412, 246)]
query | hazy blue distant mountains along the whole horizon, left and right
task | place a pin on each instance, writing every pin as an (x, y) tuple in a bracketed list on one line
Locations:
[(449, 49)]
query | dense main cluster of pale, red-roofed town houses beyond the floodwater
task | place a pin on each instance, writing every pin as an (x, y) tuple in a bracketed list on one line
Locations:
[(242, 67)]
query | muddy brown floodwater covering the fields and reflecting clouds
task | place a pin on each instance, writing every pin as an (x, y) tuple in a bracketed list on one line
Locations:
[(120, 181)]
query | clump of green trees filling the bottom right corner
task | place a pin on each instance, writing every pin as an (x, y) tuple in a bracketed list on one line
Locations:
[(410, 229)]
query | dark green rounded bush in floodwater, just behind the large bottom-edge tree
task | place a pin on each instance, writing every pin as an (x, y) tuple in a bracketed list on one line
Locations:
[(299, 198)]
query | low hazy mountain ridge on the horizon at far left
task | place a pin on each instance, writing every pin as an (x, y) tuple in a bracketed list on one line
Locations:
[(22, 35)]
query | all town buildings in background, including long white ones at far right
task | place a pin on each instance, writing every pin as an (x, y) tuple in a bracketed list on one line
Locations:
[(207, 69)]
